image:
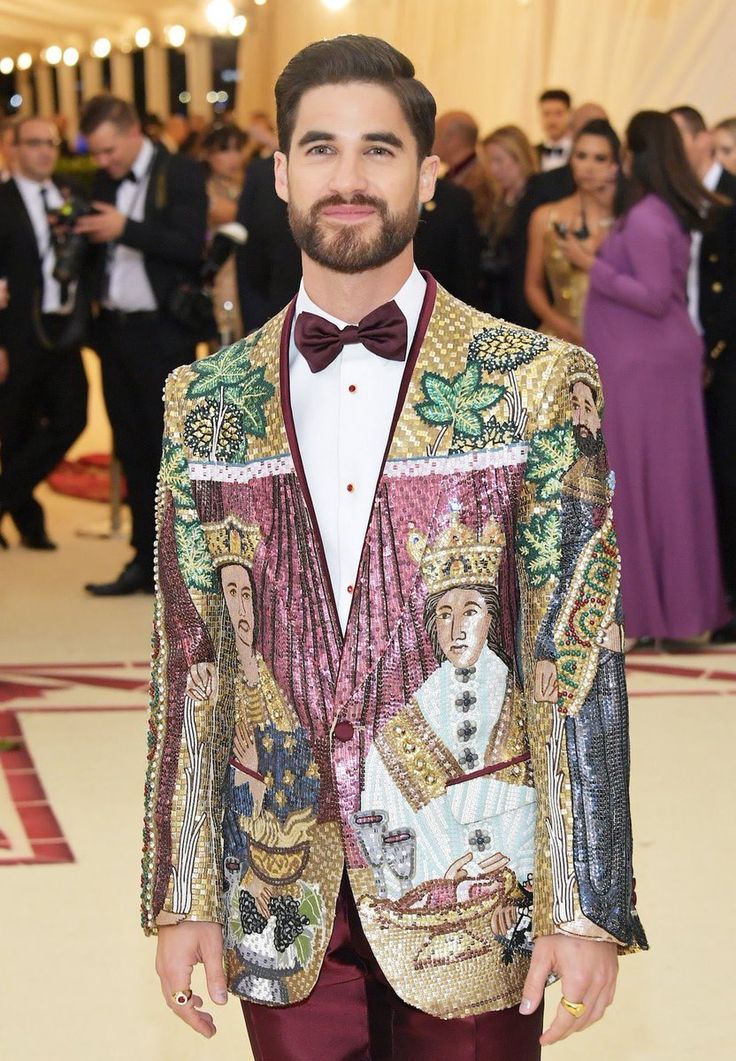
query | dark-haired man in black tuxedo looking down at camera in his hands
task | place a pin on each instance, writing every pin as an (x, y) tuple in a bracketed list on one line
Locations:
[(149, 224)]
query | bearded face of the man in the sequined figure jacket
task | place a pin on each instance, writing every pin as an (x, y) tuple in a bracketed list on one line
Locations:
[(353, 180)]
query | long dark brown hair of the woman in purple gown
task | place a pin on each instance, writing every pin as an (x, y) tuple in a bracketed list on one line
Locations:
[(660, 167)]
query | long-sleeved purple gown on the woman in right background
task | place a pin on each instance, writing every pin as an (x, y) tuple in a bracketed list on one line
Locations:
[(652, 364)]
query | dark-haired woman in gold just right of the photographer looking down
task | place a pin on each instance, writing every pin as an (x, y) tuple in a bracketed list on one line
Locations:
[(222, 151)]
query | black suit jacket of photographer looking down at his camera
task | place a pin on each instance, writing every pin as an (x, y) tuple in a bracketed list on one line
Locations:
[(171, 236)]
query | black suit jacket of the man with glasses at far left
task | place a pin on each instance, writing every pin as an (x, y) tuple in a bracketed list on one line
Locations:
[(21, 265)]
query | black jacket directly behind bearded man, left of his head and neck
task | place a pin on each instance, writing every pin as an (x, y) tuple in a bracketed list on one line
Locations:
[(269, 265)]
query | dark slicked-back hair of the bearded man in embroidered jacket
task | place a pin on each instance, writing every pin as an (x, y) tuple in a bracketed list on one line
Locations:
[(356, 58)]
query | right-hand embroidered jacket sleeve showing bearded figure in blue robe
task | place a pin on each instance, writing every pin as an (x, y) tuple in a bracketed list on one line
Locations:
[(569, 570)]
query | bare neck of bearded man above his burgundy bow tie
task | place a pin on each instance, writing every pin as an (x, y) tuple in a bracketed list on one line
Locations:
[(351, 297)]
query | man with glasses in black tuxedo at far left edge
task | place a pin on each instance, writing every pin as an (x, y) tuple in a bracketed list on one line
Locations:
[(43, 384)]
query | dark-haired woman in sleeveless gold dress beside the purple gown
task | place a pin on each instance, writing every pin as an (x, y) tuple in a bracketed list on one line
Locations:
[(587, 218)]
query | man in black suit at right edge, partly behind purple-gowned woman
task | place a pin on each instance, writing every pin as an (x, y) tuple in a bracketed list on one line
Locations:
[(712, 298)]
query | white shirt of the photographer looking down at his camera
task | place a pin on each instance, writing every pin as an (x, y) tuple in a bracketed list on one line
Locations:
[(129, 288)]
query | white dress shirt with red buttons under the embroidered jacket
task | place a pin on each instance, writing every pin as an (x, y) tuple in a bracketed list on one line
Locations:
[(343, 418)]
